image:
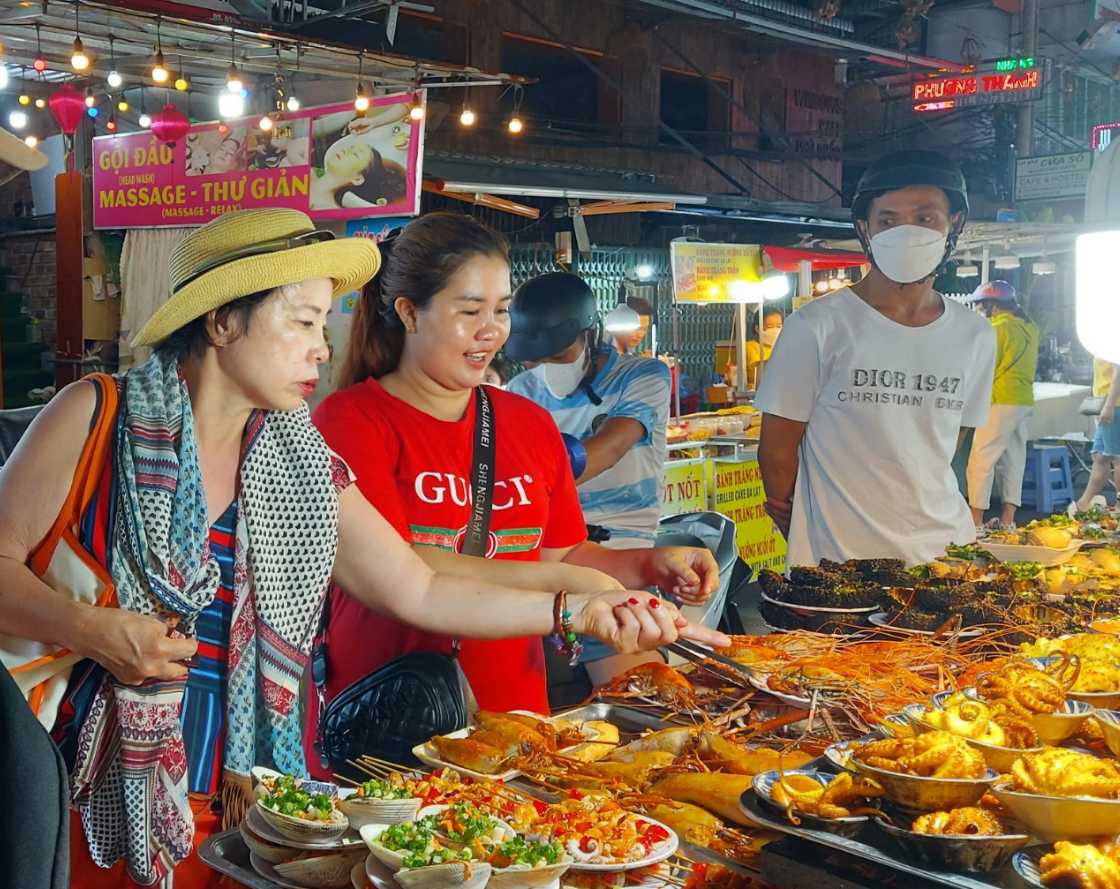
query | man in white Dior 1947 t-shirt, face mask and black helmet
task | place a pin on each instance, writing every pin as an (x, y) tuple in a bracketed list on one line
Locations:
[(870, 392)]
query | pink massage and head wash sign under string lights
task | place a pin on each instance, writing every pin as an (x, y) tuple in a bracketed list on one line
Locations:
[(333, 163)]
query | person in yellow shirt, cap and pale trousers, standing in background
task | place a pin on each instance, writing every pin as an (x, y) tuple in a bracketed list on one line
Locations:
[(1000, 450)]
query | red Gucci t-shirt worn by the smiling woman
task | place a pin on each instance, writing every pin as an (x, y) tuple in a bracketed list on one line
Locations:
[(416, 471)]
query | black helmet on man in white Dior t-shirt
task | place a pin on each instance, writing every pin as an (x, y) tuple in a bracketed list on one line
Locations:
[(903, 170)]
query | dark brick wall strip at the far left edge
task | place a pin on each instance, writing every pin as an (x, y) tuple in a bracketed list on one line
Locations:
[(30, 256)]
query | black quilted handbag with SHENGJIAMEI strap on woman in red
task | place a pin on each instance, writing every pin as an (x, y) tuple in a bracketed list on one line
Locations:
[(409, 700)]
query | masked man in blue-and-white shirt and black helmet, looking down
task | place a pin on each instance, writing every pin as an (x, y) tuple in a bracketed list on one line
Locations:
[(612, 410)]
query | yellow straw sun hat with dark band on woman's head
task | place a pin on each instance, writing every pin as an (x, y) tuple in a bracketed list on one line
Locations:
[(249, 251)]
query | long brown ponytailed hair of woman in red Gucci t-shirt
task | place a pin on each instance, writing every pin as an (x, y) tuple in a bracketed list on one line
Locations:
[(416, 264)]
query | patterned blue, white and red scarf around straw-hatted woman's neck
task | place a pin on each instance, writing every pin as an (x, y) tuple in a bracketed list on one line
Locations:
[(130, 781)]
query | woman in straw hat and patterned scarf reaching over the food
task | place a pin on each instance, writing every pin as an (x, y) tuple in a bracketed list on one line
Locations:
[(195, 493)]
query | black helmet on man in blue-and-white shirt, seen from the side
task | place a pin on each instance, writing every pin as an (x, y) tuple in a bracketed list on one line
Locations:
[(548, 314)]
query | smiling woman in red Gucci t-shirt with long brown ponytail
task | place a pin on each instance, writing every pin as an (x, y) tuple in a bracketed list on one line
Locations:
[(423, 336)]
